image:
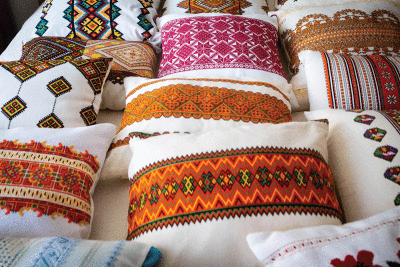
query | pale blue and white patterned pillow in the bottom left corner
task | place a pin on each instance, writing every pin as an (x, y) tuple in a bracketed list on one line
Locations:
[(61, 251)]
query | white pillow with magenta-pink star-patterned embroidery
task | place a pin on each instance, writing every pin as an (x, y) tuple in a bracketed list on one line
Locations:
[(220, 46)]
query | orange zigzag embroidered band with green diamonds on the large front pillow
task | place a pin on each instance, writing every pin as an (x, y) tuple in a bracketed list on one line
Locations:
[(228, 184)]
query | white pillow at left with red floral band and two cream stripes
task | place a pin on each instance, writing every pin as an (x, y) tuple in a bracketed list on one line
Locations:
[(47, 179)]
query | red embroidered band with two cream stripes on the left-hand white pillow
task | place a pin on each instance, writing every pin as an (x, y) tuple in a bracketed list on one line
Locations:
[(51, 180)]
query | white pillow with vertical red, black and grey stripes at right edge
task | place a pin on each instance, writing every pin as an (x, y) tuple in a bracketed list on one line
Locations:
[(352, 82)]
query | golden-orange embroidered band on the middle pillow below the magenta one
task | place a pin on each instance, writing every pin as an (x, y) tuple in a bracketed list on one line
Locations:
[(206, 102)]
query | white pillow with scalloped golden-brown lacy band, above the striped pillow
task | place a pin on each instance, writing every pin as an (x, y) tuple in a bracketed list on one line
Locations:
[(362, 27)]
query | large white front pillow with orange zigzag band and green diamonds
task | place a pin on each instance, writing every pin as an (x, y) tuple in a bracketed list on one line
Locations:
[(201, 194)]
